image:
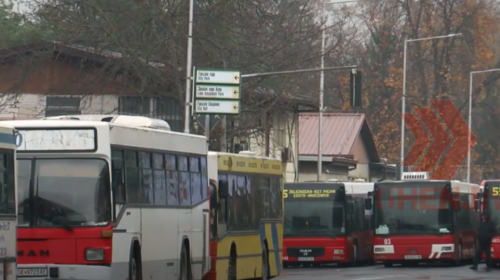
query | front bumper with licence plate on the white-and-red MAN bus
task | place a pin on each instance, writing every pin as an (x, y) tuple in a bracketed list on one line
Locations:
[(63, 272)]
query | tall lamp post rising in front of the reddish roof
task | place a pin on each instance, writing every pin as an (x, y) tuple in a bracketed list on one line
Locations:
[(322, 86)]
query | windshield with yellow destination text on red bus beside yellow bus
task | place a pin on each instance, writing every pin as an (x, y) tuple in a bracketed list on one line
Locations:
[(320, 215)]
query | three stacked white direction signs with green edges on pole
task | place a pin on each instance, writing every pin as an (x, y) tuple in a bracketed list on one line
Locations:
[(217, 91)]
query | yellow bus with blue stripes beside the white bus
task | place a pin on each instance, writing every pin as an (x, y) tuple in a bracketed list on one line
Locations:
[(246, 216)]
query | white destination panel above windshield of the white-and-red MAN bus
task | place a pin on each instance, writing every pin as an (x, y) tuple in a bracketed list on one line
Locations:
[(56, 139)]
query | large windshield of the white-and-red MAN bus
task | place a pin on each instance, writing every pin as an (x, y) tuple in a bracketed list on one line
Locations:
[(63, 192)]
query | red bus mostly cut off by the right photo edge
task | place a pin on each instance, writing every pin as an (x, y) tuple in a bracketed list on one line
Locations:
[(491, 204)]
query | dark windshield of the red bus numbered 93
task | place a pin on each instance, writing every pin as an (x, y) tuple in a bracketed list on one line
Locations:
[(412, 210)]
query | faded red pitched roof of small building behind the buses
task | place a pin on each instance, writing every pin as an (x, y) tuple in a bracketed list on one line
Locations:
[(340, 131)]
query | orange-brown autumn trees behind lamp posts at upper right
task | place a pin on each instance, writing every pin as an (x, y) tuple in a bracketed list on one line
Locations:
[(436, 69)]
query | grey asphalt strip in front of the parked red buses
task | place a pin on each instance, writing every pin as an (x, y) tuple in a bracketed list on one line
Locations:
[(378, 272)]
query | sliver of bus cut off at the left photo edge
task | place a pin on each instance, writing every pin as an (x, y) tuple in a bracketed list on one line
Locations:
[(8, 209)]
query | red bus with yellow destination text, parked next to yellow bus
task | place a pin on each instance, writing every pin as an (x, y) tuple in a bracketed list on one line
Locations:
[(326, 222)]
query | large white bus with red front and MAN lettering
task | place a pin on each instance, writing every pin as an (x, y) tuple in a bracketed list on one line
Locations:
[(111, 197)]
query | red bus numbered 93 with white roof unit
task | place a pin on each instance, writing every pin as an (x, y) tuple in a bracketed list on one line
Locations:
[(422, 220)]
